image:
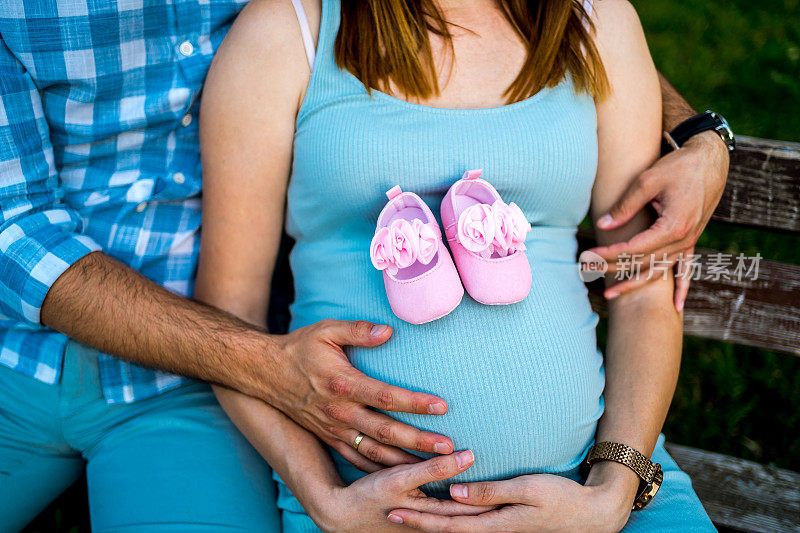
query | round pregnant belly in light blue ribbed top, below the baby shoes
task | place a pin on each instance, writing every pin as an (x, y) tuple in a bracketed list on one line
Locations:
[(523, 382)]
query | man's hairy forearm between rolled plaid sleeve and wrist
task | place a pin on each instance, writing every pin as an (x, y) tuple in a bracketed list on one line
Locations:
[(109, 306)]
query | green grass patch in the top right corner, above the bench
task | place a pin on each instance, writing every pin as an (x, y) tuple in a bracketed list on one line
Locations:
[(740, 58)]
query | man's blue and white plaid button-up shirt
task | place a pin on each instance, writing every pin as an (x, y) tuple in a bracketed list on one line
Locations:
[(98, 151)]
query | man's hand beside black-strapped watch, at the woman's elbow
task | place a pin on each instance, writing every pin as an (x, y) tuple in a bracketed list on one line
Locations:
[(684, 187)]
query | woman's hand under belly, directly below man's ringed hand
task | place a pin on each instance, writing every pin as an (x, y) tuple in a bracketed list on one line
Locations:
[(364, 505)]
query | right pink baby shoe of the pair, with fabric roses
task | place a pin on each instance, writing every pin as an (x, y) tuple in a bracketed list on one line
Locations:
[(487, 237)]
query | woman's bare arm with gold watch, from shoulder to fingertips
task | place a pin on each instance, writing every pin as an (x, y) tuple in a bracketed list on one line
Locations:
[(643, 351)]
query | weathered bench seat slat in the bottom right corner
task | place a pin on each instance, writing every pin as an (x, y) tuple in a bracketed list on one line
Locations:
[(742, 494)]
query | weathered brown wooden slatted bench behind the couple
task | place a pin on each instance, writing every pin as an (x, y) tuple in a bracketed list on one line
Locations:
[(763, 191)]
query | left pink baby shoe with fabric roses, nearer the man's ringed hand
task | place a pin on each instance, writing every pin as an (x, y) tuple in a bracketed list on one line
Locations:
[(420, 278)]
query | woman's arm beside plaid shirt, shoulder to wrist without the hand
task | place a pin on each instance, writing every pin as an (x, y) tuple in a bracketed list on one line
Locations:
[(245, 172)]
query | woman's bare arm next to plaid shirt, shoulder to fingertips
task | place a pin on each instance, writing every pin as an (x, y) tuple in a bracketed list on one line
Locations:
[(250, 102)]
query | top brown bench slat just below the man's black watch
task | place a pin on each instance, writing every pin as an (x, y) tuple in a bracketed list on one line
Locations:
[(763, 187)]
